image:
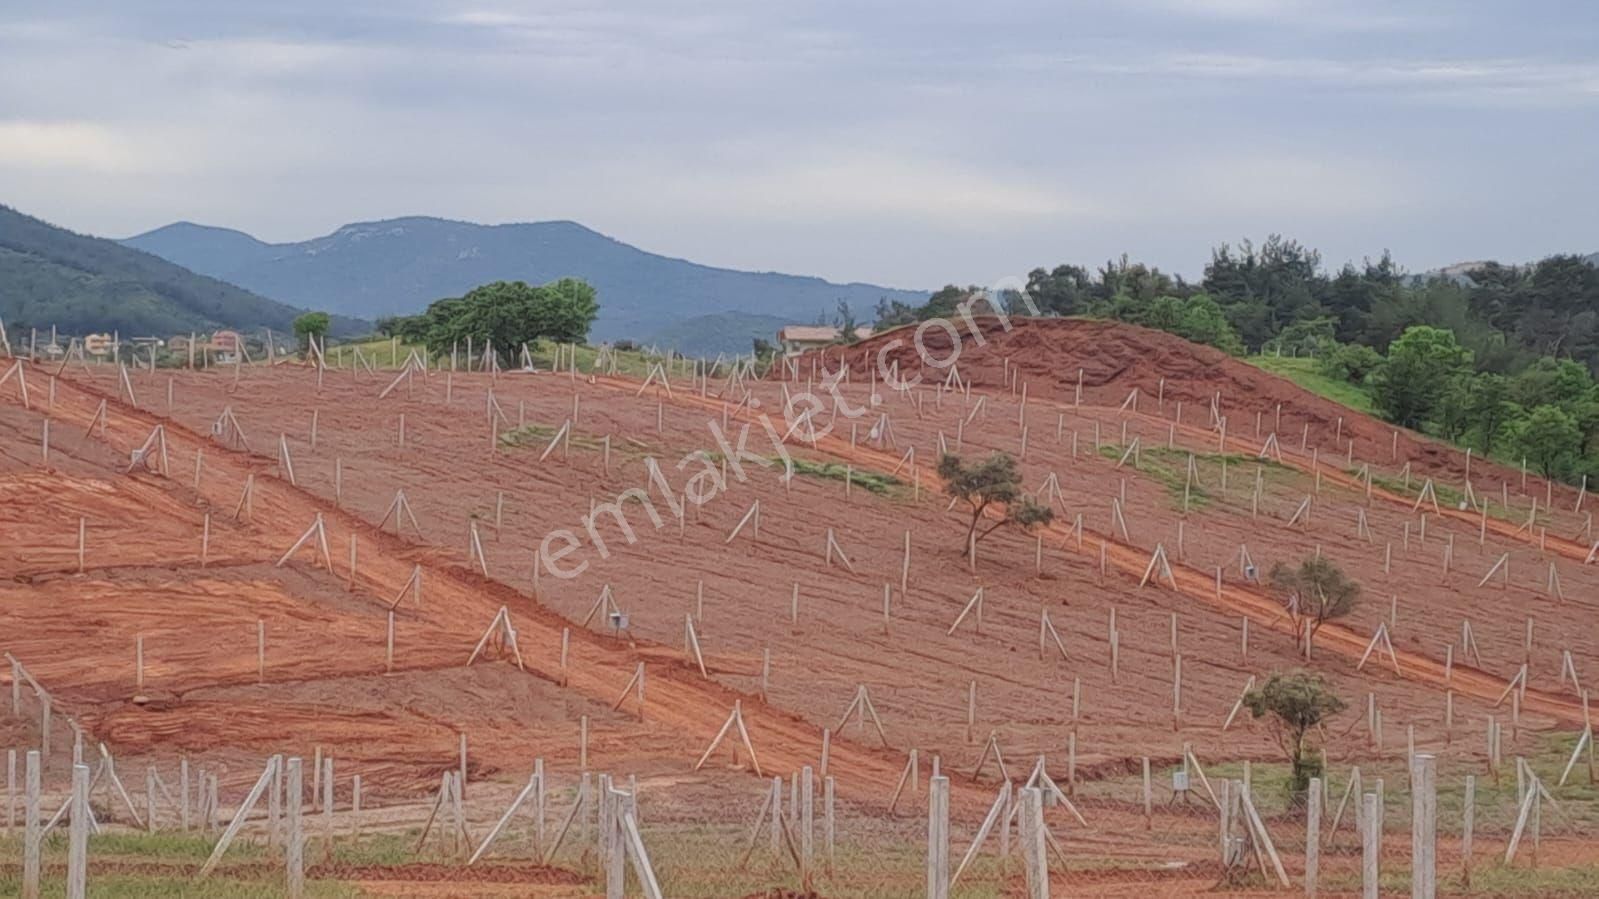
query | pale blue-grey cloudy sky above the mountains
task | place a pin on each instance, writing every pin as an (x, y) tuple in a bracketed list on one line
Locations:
[(909, 145)]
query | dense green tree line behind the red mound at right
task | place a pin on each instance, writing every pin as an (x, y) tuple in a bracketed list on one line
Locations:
[(1496, 358)]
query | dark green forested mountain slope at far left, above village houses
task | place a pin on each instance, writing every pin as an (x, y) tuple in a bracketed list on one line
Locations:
[(54, 278)]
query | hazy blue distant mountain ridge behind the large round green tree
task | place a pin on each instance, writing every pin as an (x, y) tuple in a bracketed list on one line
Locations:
[(399, 266)]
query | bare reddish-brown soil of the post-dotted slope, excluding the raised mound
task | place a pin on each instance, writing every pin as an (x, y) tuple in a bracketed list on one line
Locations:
[(325, 684)]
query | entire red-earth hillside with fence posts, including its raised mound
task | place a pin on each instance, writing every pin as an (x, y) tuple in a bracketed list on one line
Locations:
[(851, 586)]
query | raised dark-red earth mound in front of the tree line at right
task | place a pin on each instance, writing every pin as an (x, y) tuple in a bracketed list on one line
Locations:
[(1111, 359)]
